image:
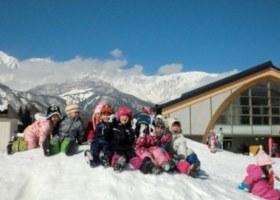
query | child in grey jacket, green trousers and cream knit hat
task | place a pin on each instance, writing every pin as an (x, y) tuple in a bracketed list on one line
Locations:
[(71, 129)]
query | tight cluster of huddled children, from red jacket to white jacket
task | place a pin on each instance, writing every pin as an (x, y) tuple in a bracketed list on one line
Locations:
[(143, 142)]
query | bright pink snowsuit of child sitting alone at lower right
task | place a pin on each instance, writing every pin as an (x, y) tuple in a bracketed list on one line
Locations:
[(258, 185)]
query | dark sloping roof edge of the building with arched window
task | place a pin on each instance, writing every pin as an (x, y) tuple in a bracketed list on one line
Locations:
[(219, 83)]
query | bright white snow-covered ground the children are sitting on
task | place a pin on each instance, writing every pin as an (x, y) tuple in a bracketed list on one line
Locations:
[(29, 175)]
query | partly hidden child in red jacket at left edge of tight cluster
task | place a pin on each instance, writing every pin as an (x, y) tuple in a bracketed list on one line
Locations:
[(95, 119)]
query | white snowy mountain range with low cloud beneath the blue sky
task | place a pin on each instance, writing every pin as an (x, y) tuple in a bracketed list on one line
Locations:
[(114, 71)]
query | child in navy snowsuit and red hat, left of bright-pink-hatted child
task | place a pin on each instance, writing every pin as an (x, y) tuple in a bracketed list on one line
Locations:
[(100, 148)]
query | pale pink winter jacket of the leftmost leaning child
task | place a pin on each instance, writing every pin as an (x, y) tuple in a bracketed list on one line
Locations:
[(36, 133)]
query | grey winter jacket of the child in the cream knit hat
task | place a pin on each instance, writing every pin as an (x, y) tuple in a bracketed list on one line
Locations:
[(72, 128)]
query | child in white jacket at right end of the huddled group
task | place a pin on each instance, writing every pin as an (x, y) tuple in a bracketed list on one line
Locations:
[(187, 160)]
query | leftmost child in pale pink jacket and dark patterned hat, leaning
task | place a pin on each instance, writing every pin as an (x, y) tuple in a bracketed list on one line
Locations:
[(36, 133)]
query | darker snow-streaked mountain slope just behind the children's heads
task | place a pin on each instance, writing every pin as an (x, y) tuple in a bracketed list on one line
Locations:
[(89, 93)]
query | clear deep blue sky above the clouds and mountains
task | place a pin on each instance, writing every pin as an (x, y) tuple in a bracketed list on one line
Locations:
[(205, 35)]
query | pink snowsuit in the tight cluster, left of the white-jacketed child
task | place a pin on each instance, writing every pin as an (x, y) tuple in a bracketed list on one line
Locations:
[(146, 146)]
